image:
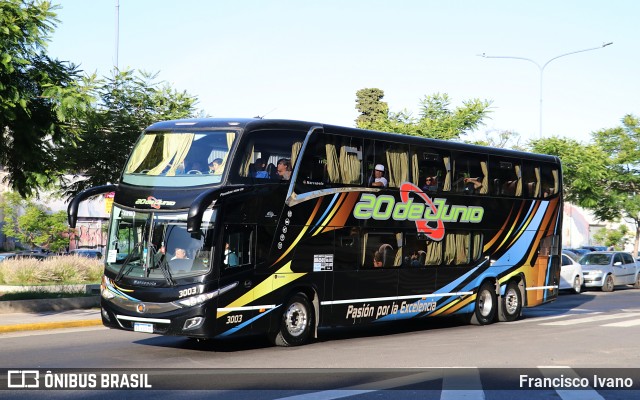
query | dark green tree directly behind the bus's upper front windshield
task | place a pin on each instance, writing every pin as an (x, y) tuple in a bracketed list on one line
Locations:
[(128, 102)]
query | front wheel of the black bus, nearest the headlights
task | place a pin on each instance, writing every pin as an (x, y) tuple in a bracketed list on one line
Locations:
[(296, 322)]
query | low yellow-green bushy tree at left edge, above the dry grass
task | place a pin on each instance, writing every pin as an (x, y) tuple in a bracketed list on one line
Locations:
[(33, 224)]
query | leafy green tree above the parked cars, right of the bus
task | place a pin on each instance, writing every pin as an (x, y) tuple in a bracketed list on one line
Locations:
[(603, 176)]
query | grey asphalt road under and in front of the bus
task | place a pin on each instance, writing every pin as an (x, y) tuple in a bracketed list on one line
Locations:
[(589, 330)]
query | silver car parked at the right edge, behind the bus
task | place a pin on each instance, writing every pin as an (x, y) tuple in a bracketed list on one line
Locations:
[(607, 269)]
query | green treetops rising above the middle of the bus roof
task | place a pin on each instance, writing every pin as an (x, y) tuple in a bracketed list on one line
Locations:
[(437, 119)]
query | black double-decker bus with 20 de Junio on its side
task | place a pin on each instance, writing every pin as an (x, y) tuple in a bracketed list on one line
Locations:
[(228, 227)]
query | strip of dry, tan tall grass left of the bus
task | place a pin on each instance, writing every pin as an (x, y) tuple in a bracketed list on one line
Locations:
[(49, 279)]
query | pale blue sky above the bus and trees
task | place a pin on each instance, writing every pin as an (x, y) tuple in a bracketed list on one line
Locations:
[(306, 60)]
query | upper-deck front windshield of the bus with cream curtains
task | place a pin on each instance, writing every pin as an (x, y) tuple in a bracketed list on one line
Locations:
[(179, 158)]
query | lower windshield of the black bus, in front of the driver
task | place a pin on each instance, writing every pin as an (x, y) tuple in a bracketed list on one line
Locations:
[(157, 245)]
